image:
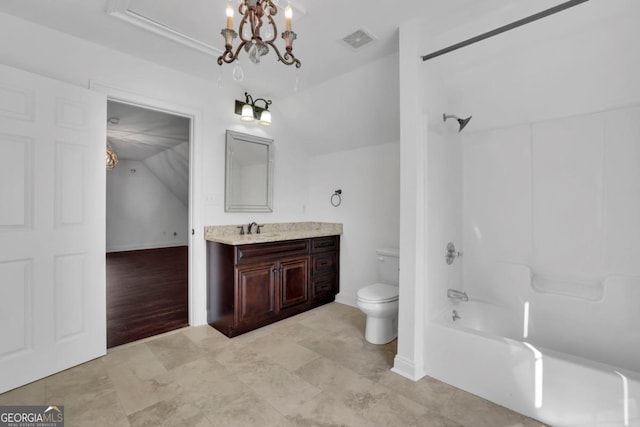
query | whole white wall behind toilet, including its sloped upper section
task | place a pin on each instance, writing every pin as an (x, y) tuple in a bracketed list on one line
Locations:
[(358, 110)]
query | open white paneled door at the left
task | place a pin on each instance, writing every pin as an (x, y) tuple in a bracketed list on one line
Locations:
[(52, 226)]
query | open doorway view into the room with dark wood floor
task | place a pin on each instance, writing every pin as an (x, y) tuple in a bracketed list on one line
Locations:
[(147, 222)]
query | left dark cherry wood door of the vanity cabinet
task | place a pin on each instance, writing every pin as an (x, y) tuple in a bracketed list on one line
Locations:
[(256, 293)]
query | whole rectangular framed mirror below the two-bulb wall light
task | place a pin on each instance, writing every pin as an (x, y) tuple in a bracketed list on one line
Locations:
[(249, 173)]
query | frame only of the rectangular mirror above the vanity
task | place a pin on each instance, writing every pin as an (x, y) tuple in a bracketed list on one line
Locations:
[(233, 137)]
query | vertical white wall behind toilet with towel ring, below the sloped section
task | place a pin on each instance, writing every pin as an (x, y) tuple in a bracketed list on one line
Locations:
[(369, 179)]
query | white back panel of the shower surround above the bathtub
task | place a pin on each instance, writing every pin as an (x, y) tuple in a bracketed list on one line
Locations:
[(562, 197)]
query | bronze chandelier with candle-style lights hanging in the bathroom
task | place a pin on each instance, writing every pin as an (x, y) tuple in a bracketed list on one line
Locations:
[(257, 32)]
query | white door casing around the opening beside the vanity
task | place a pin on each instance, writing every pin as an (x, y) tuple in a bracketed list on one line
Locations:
[(197, 294)]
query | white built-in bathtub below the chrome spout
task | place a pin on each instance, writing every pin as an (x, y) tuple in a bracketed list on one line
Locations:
[(571, 369)]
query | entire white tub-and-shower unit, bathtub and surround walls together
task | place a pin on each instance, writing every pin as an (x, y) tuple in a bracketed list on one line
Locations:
[(549, 223)]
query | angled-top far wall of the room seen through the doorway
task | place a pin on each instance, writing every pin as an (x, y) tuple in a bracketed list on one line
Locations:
[(142, 212)]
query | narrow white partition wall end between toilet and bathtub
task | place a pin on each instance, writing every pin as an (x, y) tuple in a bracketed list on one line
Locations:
[(413, 231)]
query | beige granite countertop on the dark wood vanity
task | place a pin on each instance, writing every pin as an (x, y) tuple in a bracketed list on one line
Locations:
[(274, 232)]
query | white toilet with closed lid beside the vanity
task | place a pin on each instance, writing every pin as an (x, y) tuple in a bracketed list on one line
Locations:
[(379, 301)]
